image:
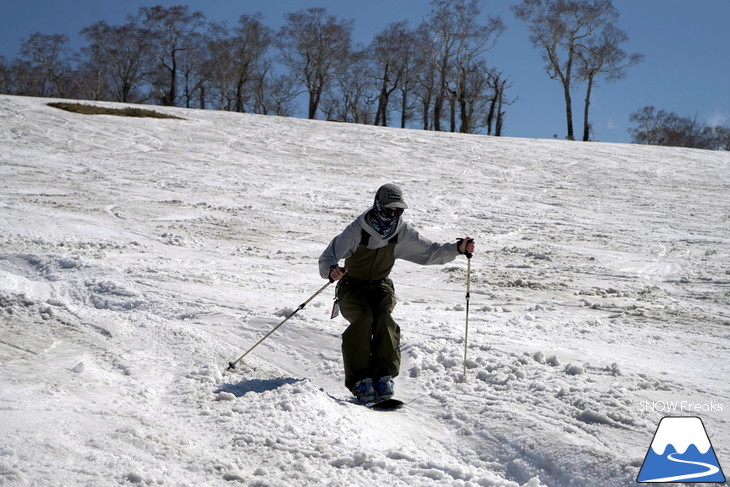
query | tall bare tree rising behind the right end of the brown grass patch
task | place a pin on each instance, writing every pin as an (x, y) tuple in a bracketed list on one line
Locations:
[(172, 32)]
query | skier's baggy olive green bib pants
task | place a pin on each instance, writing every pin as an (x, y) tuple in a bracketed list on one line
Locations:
[(371, 343)]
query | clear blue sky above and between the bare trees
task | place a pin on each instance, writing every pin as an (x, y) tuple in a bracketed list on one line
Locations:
[(686, 44)]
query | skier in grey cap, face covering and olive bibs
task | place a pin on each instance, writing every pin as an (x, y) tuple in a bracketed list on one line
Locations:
[(366, 296)]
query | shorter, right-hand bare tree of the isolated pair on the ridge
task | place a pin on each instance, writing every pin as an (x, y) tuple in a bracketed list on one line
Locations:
[(602, 55)]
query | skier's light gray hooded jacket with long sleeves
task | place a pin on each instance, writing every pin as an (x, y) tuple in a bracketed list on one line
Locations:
[(411, 246)]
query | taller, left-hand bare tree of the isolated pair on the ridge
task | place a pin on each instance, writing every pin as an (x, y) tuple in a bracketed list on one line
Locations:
[(557, 28)]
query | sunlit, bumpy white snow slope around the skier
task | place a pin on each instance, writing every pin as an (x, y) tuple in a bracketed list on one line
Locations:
[(139, 256)]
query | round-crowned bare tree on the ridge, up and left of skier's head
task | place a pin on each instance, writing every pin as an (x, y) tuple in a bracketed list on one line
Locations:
[(312, 45)]
